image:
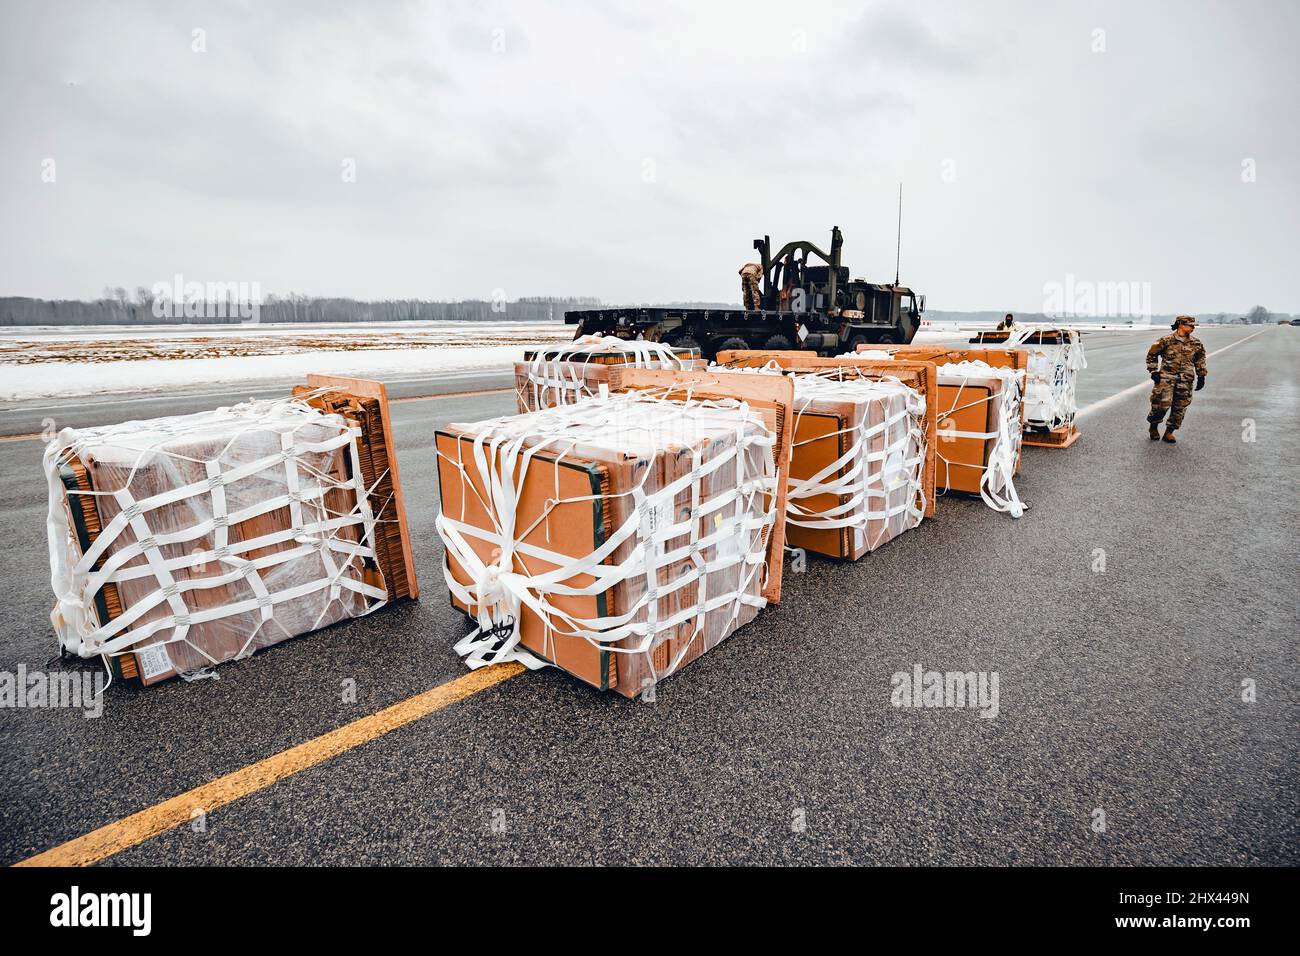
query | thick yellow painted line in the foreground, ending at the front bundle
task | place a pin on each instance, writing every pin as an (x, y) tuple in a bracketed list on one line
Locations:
[(131, 832)]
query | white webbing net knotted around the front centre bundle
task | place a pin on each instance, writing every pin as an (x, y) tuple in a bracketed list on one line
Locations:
[(742, 518)]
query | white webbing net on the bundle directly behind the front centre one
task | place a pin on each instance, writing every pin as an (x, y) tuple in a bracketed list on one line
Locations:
[(865, 479)]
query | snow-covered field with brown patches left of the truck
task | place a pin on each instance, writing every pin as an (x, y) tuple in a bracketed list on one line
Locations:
[(92, 361)]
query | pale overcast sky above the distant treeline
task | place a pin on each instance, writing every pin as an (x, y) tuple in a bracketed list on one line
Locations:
[(634, 152)]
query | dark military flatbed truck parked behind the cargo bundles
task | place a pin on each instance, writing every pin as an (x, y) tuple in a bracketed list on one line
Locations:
[(799, 306)]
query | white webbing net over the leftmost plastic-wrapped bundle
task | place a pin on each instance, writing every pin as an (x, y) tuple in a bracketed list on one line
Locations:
[(279, 451)]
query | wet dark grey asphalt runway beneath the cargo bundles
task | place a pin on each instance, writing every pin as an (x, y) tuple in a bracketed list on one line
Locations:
[(1121, 693)]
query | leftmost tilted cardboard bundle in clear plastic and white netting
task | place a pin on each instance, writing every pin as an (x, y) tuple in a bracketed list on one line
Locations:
[(206, 544)]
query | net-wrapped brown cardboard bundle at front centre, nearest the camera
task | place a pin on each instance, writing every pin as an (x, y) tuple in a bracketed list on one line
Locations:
[(618, 539)]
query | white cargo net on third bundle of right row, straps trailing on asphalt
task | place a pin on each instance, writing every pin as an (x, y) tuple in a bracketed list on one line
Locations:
[(996, 486)]
